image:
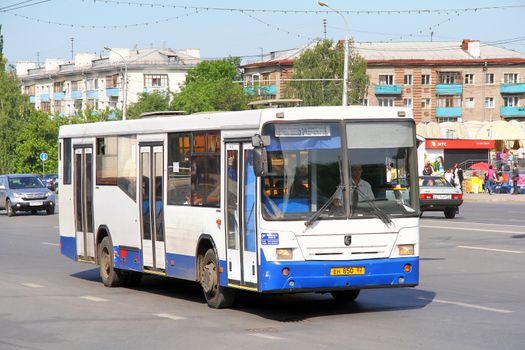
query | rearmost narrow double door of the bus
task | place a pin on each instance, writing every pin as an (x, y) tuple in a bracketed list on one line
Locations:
[(83, 194)]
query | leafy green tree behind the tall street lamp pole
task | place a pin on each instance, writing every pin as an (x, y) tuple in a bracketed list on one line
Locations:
[(325, 61)]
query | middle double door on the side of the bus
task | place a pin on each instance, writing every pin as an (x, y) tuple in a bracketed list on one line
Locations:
[(151, 204)]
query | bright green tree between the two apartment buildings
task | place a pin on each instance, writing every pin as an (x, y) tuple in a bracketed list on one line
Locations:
[(210, 86)]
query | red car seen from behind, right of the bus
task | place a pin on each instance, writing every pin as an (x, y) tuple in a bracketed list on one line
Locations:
[(437, 194)]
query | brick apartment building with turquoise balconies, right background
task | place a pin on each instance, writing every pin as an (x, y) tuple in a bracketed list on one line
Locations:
[(440, 81)]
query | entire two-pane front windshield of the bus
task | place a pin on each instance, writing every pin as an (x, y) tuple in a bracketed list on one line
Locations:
[(305, 172)]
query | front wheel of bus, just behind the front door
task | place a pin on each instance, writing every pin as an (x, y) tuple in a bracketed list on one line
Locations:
[(217, 297)]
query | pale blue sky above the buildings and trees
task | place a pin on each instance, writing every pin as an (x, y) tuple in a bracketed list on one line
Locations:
[(43, 28)]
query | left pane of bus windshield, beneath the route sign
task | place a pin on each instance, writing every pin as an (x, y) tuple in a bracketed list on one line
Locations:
[(304, 170)]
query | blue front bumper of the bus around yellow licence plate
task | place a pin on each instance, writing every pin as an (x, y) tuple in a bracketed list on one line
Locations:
[(316, 274)]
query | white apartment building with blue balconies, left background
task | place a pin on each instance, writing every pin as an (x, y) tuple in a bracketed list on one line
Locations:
[(98, 81)]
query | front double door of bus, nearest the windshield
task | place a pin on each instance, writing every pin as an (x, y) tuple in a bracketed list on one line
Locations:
[(240, 216)]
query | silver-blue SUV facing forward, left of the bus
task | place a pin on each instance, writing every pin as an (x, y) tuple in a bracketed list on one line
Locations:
[(25, 192)]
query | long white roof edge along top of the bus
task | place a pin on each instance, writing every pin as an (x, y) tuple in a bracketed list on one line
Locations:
[(250, 120)]
